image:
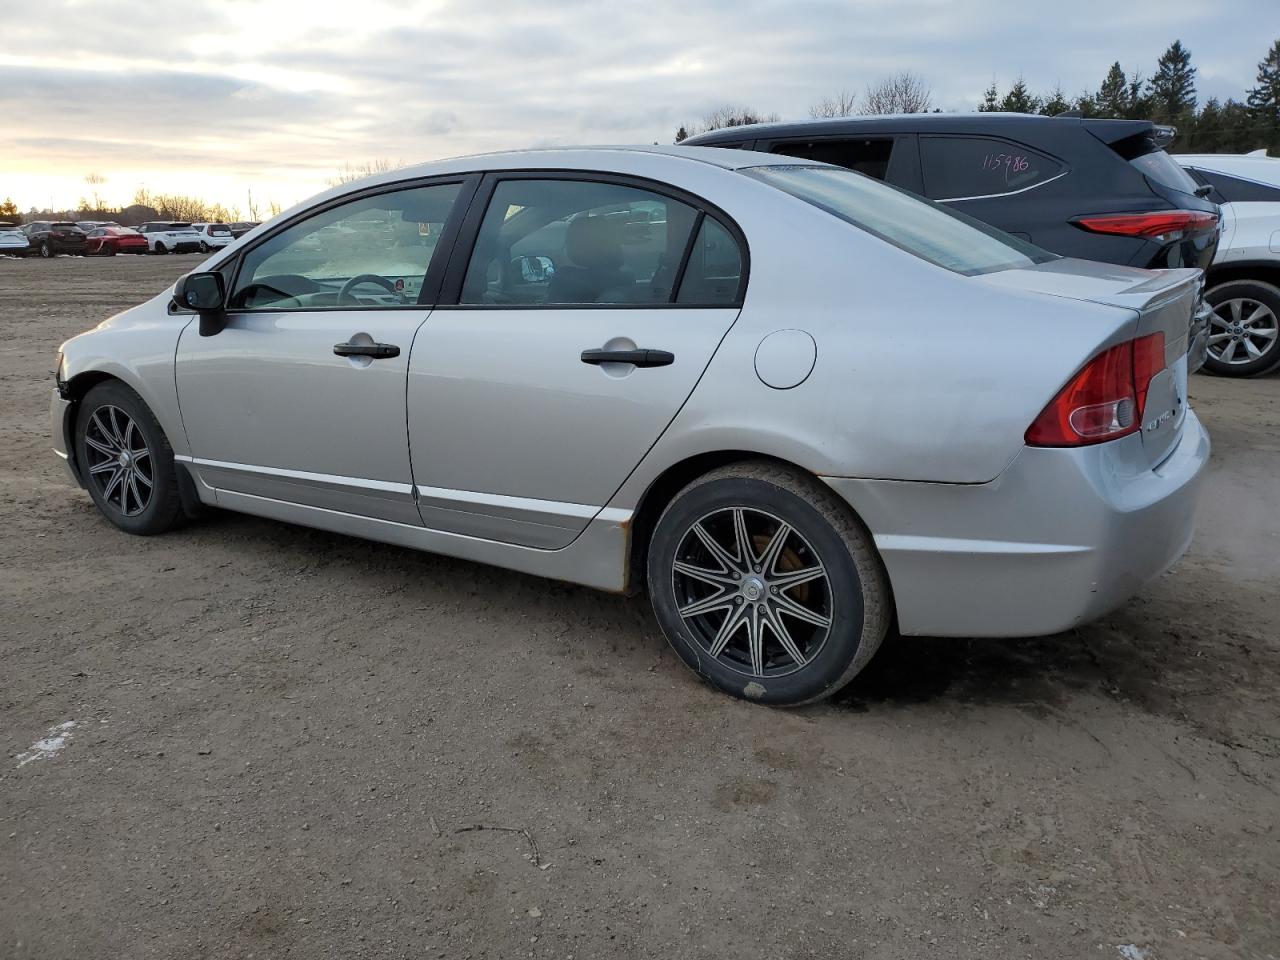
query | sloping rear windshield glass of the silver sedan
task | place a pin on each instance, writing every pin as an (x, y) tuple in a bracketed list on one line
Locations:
[(911, 223)]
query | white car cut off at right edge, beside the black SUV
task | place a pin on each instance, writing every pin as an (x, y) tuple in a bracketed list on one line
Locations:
[(1245, 278)]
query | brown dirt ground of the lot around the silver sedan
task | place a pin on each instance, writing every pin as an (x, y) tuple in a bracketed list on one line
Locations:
[(281, 737)]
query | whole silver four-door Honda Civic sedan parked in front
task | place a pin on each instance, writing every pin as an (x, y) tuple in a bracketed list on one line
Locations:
[(796, 405)]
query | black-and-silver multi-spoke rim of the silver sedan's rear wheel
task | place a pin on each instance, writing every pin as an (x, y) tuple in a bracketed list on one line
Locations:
[(753, 592)]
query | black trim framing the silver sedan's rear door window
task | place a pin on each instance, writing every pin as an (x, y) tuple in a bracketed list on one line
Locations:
[(464, 249)]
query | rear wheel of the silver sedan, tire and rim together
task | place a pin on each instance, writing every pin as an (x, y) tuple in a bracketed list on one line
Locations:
[(725, 614)]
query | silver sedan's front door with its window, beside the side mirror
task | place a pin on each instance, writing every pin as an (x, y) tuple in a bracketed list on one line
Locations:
[(301, 396)]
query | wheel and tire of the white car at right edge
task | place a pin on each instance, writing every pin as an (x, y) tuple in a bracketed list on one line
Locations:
[(1246, 313)]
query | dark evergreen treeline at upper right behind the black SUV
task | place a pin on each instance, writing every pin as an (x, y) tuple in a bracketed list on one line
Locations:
[(1168, 97)]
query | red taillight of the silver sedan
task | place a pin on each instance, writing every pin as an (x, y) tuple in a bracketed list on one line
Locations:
[(1105, 401)]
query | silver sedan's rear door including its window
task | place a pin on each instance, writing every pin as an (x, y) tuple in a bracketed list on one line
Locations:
[(563, 349)]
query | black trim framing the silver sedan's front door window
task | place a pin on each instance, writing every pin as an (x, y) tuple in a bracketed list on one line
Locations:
[(433, 278)]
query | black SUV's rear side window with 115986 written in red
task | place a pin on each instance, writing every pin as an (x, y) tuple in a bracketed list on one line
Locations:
[(968, 168)]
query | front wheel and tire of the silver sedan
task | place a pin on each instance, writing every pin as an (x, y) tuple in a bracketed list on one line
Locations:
[(120, 450)]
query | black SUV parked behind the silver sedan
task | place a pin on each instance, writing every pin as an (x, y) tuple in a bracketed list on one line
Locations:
[(1098, 190)]
